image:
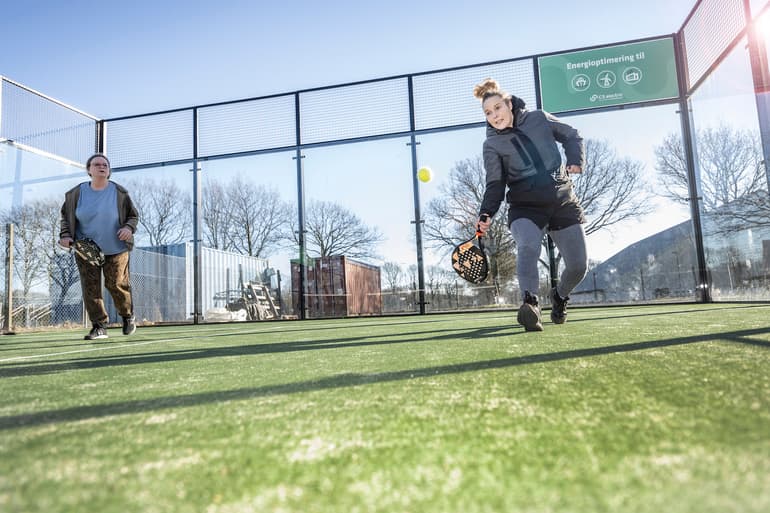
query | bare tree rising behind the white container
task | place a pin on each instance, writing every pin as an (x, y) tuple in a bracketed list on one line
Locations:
[(257, 218)]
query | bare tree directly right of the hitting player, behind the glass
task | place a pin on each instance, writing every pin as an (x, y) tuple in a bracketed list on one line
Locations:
[(610, 189)]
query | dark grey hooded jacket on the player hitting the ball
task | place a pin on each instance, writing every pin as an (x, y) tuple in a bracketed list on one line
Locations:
[(528, 150)]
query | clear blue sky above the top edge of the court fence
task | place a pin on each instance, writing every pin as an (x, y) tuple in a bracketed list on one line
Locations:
[(112, 58)]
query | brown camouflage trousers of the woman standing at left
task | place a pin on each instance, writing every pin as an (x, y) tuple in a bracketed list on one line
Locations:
[(116, 280)]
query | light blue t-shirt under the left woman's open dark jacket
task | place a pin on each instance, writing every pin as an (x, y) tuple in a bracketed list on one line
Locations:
[(97, 215)]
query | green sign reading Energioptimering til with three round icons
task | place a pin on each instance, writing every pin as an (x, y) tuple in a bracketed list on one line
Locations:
[(615, 75)]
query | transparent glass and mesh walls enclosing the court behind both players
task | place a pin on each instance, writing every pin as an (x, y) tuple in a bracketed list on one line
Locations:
[(306, 204)]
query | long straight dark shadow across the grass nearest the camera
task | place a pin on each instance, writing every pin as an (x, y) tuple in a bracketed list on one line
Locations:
[(351, 379)]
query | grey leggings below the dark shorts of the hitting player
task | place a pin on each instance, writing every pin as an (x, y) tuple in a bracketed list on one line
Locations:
[(571, 242)]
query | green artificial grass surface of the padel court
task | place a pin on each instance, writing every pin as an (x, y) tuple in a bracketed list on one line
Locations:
[(645, 409)]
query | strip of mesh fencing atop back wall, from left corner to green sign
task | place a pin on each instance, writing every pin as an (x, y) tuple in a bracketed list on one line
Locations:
[(378, 108)]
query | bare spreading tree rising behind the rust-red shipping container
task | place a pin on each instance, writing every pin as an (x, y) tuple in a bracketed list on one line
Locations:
[(334, 230)]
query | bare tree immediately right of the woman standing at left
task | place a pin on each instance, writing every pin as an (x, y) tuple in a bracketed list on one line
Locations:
[(164, 210)]
